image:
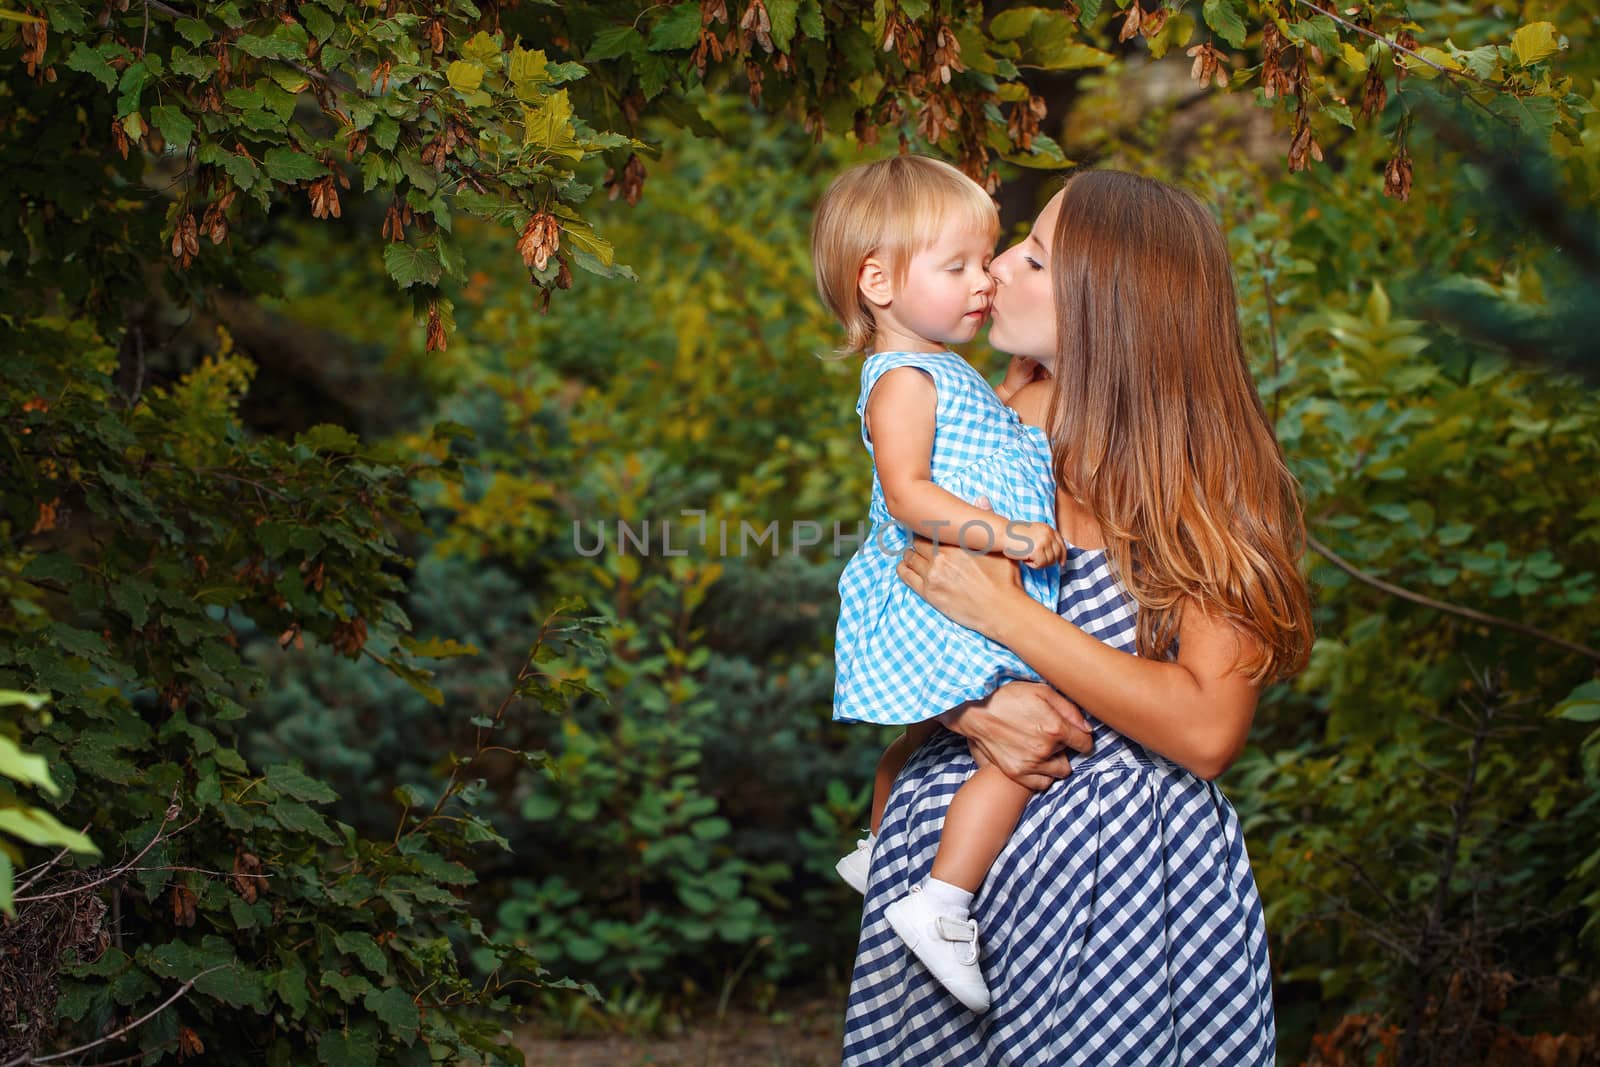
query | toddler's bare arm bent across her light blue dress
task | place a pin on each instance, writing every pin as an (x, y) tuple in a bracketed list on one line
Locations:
[(902, 422)]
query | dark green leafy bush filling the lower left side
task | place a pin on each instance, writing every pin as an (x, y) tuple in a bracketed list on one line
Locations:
[(158, 529)]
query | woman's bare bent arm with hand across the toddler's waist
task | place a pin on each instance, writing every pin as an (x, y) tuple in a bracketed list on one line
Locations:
[(1194, 711)]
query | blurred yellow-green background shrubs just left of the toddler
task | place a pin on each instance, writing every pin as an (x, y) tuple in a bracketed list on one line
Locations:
[(660, 852)]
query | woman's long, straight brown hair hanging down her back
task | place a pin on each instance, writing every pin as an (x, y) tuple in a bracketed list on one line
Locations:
[(1158, 425)]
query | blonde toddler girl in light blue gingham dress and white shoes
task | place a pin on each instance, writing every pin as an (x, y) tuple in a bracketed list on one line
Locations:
[(902, 250)]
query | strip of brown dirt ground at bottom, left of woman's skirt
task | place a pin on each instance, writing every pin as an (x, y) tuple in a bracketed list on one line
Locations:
[(807, 1037)]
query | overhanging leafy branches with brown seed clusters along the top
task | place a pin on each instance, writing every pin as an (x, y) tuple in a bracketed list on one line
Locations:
[(449, 113)]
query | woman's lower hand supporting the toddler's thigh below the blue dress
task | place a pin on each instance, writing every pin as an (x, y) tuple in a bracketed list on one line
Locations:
[(1026, 730)]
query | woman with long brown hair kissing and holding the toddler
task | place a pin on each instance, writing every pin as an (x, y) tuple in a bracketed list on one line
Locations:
[(1122, 922)]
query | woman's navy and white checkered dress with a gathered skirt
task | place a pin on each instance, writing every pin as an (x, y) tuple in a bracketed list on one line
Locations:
[(1121, 927)]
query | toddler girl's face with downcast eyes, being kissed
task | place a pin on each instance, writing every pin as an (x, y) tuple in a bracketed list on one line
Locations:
[(945, 298)]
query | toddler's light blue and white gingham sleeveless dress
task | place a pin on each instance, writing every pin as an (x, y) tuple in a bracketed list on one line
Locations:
[(897, 658)]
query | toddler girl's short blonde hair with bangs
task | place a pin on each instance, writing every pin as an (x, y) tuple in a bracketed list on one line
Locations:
[(892, 209)]
